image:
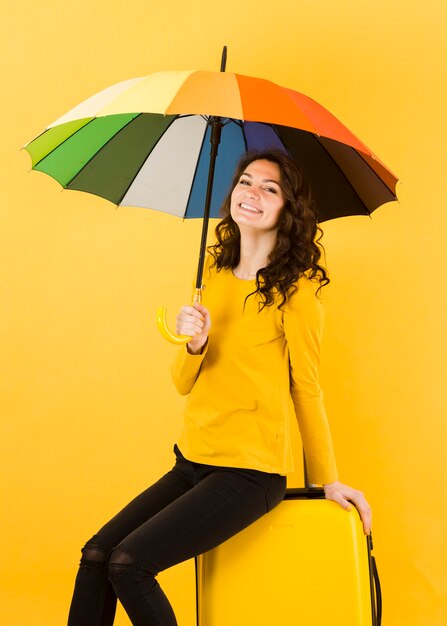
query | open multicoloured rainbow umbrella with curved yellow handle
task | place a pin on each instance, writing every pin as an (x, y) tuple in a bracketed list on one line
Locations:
[(145, 142)]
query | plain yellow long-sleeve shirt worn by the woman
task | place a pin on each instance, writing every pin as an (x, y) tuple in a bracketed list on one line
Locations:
[(258, 370)]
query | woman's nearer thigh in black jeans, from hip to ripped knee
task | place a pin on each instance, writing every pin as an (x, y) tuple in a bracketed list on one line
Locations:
[(223, 503)]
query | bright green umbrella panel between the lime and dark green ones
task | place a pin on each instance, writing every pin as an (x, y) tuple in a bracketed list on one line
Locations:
[(77, 150)]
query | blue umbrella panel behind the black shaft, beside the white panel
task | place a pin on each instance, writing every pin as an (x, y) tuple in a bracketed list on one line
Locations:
[(232, 146)]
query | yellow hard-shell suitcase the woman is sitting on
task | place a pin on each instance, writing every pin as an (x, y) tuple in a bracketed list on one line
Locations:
[(306, 562)]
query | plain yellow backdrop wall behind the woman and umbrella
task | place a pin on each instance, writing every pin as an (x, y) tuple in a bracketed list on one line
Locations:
[(88, 412)]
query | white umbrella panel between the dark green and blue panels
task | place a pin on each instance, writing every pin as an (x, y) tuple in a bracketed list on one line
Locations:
[(164, 181)]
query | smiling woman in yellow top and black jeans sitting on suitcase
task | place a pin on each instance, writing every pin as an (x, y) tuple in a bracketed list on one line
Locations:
[(250, 366)]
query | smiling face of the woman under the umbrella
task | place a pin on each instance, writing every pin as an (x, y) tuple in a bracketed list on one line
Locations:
[(257, 199)]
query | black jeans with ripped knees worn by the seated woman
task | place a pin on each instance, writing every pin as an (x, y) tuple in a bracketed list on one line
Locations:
[(190, 510)]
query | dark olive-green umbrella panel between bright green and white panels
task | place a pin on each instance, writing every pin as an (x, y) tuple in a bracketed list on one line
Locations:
[(112, 170)]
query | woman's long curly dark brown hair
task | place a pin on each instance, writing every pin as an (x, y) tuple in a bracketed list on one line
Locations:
[(297, 250)]
